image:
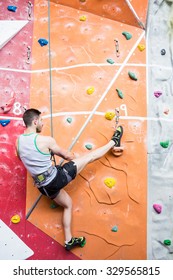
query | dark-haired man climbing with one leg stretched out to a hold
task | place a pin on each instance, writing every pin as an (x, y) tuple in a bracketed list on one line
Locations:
[(35, 152)]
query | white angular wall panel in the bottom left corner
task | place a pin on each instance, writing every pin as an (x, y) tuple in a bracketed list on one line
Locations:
[(11, 246)]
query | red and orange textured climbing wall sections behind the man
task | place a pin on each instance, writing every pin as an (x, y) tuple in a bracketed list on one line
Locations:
[(82, 54)]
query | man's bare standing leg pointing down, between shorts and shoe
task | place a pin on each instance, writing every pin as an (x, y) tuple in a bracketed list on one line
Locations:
[(64, 200)]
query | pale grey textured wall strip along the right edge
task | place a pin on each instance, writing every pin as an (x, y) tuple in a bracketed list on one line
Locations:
[(160, 133)]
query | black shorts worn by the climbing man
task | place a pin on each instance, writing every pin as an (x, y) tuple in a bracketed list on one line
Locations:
[(65, 174)]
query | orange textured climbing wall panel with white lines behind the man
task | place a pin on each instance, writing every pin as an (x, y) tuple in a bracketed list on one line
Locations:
[(79, 53)]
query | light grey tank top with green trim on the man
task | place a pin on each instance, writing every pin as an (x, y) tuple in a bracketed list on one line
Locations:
[(35, 161)]
